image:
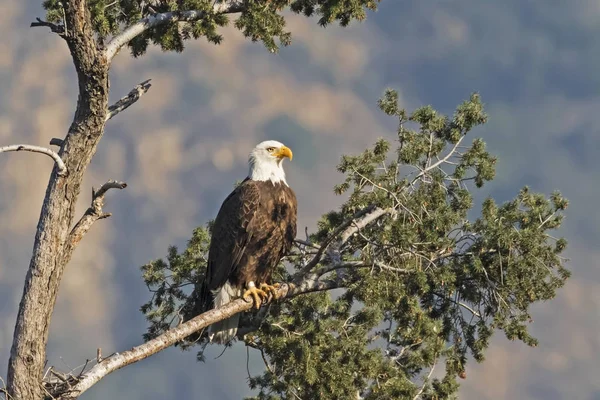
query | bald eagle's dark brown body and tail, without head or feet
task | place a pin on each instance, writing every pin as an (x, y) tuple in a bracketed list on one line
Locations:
[(254, 229)]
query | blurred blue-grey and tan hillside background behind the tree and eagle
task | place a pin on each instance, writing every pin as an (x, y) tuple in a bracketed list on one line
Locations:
[(183, 145)]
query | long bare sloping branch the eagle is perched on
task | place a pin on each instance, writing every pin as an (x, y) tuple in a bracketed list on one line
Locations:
[(176, 334)]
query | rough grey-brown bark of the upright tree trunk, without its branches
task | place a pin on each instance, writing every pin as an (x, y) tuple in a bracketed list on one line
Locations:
[(28, 353)]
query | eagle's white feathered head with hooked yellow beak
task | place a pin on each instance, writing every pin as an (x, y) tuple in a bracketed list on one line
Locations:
[(266, 160)]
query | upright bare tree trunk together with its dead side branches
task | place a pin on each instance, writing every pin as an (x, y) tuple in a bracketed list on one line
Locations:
[(57, 236)]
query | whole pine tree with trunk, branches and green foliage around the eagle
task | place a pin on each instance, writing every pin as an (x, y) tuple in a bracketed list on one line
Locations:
[(393, 283)]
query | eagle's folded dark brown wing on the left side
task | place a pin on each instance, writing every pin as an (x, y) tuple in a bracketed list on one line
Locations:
[(231, 233)]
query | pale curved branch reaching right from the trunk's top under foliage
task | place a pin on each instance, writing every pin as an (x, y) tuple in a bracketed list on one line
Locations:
[(151, 21)]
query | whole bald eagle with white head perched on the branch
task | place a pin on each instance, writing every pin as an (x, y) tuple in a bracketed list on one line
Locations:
[(254, 229)]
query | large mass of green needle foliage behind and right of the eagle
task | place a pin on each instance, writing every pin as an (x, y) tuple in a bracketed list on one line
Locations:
[(426, 288)]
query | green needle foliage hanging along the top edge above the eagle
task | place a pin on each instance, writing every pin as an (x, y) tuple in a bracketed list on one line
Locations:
[(259, 20)]
